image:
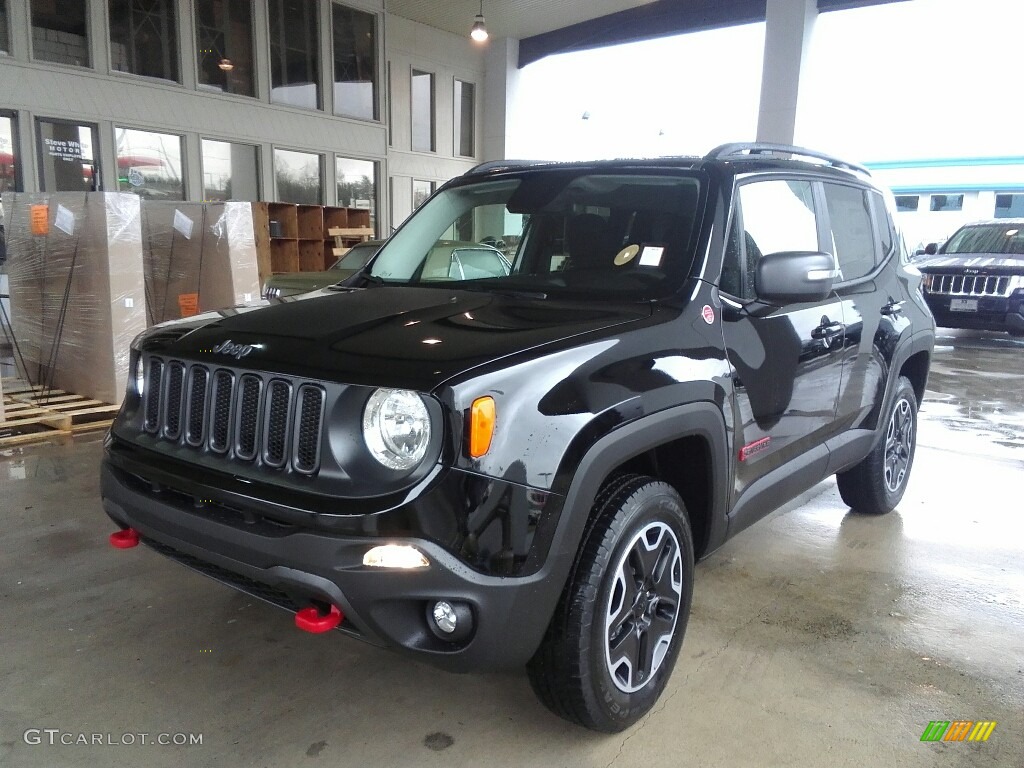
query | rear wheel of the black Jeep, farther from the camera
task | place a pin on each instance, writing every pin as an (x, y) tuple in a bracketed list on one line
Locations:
[(877, 485)]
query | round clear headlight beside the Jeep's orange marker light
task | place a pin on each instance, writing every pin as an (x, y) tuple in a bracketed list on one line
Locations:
[(397, 429)]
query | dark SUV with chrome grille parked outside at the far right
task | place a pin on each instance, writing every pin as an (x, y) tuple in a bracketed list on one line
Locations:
[(976, 278)]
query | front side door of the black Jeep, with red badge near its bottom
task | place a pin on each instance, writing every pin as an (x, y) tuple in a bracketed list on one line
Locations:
[(787, 360)]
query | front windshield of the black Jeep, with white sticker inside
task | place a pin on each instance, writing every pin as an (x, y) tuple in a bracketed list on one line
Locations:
[(616, 233)]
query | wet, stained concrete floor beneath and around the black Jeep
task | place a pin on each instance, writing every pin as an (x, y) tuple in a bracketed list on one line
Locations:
[(819, 637)]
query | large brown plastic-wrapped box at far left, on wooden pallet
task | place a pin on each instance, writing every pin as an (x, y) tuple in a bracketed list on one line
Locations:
[(75, 267)]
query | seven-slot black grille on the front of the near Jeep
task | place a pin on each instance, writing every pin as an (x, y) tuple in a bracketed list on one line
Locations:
[(245, 415)]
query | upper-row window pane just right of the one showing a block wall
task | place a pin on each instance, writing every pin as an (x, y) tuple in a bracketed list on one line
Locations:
[(144, 38)]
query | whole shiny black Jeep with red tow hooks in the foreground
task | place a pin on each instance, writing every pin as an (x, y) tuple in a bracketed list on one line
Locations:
[(523, 470)]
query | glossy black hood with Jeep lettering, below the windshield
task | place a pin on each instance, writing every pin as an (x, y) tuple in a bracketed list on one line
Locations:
[(405, 337)]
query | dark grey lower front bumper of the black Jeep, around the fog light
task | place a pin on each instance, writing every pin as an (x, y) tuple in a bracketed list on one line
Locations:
[(295, 567)]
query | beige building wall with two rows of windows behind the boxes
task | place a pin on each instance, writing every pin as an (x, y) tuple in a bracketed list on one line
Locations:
[(292, 101)]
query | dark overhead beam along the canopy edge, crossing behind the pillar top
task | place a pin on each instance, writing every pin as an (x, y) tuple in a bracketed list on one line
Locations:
[(659, 19)]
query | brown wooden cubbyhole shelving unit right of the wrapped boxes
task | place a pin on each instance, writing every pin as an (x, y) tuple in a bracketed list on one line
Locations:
[(304, 238)]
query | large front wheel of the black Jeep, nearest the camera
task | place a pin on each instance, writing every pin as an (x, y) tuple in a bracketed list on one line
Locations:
[(638, 549)]
